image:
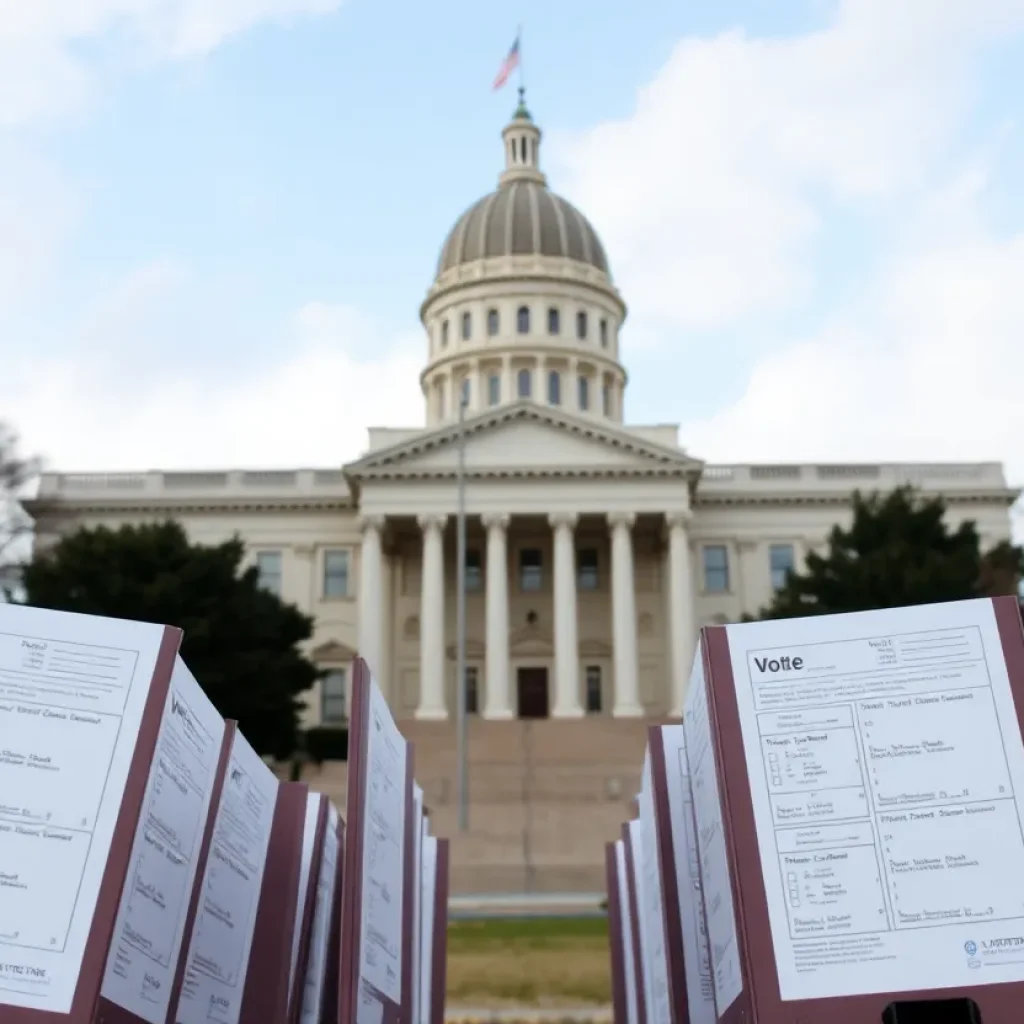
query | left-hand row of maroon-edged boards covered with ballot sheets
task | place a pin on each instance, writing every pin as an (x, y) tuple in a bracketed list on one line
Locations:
[(155, 871)]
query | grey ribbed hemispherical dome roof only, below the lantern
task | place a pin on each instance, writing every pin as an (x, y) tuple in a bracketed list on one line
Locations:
[(523, 219)]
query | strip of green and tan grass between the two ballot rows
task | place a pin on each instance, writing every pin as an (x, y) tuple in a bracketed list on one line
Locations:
[(538, 962)]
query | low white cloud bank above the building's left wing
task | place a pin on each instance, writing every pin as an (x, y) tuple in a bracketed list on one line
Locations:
[(313, 409)]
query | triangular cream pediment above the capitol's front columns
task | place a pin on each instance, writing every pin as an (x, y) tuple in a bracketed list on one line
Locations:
[(527, 440)]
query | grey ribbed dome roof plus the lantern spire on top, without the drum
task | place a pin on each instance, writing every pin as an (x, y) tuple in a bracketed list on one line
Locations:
[(523, 218)]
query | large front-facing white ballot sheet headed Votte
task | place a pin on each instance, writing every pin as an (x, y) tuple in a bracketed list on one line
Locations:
[(887, 777)]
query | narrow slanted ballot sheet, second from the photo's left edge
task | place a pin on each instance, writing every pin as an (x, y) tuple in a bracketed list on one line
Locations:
[(150, 930)]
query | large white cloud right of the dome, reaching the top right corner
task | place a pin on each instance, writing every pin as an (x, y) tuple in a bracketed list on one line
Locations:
[(711, 196)]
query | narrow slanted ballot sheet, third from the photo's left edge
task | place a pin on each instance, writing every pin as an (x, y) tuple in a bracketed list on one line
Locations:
[(219, 954)]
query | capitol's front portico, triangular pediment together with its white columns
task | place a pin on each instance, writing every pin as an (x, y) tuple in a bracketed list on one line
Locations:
[(557, 608)]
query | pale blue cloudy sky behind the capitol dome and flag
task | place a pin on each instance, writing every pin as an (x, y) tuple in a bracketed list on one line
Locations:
[(219, 218)]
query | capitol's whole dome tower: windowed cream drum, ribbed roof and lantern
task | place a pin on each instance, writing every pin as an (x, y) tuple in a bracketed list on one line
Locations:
[(523, 307)]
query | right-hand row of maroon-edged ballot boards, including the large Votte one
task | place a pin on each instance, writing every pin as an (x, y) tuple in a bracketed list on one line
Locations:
[(837, 826)]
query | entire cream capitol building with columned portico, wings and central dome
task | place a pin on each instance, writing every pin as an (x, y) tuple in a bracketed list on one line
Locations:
[(595, 548)]
